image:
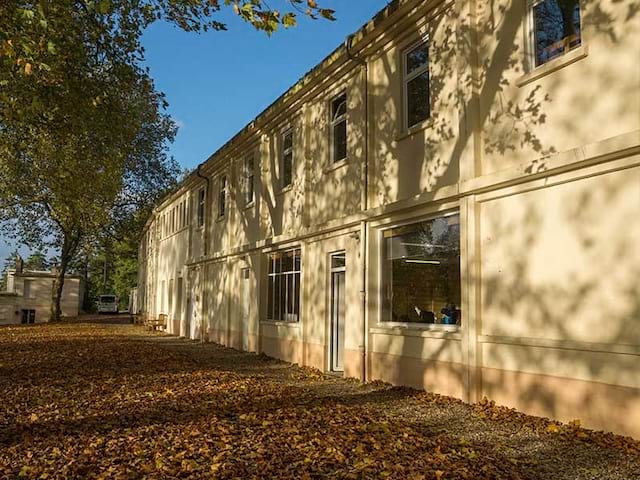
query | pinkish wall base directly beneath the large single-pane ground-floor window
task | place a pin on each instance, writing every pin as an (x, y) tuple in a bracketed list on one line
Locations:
[(445, 378)]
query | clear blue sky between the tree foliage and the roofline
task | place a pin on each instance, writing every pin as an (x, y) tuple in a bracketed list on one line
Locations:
[(218, 82)]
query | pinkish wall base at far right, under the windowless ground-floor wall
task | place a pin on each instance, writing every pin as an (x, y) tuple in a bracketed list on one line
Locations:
[(597, 405)]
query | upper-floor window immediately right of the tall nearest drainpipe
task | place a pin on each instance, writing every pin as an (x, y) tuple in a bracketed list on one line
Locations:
[(416, 84)]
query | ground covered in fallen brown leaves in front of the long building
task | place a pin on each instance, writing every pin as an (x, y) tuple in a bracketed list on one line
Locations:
[(98, 401)]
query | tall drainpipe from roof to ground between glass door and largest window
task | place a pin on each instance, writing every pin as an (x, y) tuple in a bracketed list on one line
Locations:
[(364, 201)]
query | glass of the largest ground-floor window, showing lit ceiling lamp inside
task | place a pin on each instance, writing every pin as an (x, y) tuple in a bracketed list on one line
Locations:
[(421, 272)]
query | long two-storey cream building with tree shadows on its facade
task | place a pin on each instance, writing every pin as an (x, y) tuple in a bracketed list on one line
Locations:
[(450, 201)]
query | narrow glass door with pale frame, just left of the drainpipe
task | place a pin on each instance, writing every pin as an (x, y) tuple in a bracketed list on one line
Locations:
[(338, 271)]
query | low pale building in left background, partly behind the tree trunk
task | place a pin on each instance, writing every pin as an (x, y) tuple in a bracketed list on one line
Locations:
[(29, 293)]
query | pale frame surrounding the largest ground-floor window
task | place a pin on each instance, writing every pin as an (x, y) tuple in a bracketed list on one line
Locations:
[(381, 322)]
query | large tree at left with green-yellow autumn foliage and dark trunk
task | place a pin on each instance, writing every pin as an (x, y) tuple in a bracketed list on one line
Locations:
[(83, 132)]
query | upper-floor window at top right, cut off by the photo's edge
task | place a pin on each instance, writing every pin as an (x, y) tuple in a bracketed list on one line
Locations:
[(554, 28)]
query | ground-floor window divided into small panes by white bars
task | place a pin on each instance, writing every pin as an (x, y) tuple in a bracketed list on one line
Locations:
[(283, 291)]
